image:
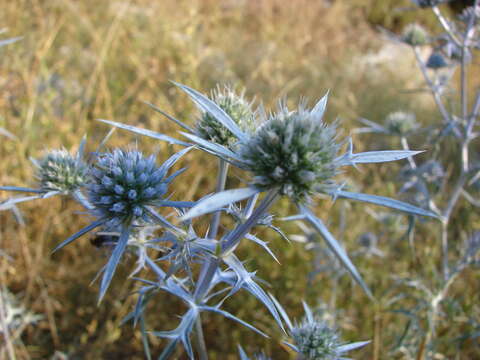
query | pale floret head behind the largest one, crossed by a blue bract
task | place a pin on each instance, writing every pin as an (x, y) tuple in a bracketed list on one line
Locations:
[(237, 107)]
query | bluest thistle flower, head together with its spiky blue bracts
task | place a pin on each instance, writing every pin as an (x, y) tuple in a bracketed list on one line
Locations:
[(124, 187)]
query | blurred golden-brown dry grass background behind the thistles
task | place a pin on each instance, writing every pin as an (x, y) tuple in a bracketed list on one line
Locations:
[(84, 60)]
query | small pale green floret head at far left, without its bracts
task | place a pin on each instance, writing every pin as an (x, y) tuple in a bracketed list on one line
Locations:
[(60, 171)]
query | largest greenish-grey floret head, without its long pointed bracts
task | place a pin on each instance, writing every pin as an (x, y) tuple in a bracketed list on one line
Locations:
[(292, 150)]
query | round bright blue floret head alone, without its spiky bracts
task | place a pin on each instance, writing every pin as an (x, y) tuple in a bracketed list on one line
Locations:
[(124, 184)]
